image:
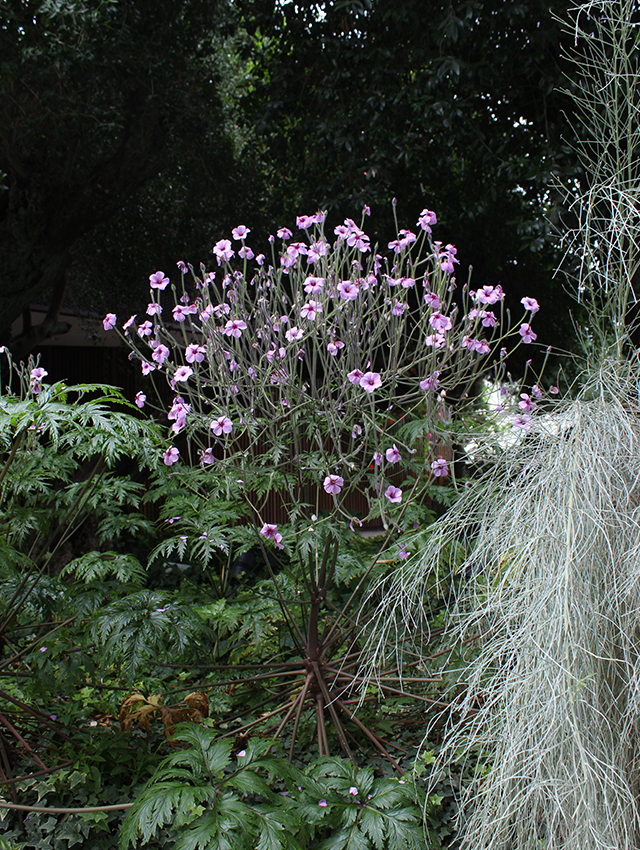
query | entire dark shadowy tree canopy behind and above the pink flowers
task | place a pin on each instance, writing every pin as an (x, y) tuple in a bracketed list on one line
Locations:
[(136, 134)]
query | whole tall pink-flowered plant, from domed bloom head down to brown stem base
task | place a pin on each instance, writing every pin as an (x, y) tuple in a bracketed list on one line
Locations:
[(318, 372)]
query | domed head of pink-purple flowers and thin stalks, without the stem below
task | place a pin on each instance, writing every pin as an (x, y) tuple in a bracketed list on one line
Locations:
[(329, 338)]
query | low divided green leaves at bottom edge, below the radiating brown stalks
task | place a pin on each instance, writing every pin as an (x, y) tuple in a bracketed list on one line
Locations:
[(216, 799)]
